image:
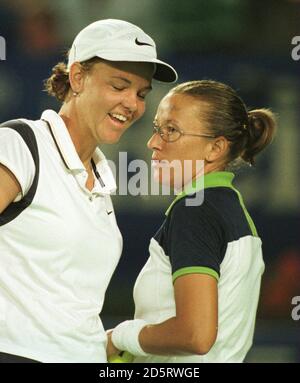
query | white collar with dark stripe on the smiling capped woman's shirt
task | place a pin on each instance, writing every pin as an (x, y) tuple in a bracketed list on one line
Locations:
[(106, 183)]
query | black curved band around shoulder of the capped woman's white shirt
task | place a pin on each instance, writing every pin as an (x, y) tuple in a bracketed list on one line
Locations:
[(16, 208)]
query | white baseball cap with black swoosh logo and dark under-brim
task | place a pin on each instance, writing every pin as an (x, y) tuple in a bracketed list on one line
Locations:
[(118, 40)]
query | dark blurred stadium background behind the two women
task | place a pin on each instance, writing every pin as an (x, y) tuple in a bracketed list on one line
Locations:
[(245, 43)]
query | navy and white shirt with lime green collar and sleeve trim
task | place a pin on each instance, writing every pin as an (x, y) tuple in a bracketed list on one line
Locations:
[(218, 238)]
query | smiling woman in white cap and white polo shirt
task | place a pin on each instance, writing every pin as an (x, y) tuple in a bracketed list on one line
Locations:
[(59, 241)]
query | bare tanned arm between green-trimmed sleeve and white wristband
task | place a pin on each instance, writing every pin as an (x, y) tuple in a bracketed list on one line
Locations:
[(194, 329)]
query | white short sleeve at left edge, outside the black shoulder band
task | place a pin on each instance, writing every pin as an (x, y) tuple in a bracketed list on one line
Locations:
[(16, 156)]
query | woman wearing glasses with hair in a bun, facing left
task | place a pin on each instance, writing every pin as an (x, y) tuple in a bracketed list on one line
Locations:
[(196, 298)]
